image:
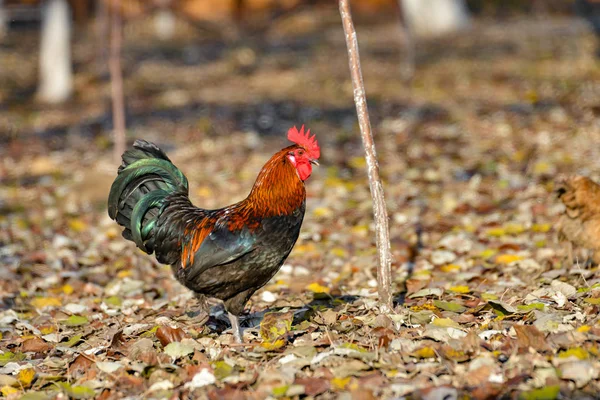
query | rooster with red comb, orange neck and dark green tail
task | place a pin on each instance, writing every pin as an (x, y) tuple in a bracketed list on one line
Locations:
[(228, 253)]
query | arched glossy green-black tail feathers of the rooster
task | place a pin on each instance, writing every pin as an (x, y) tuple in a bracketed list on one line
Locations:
[(146, 177)]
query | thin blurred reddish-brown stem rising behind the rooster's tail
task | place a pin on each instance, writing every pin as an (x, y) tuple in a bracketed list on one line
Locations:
[(116, 81)]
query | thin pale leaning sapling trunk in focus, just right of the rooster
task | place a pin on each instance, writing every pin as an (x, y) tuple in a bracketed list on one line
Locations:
[(384, 273)]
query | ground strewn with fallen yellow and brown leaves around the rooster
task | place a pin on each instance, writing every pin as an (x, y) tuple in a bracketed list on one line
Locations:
[(486, 305)]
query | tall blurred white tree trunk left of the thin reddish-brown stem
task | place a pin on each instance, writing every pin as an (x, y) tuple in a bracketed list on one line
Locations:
[(56, 72)]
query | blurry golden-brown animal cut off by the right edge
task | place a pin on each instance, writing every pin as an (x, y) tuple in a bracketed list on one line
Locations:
[(579, 225)]
